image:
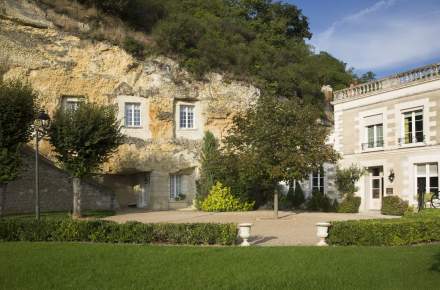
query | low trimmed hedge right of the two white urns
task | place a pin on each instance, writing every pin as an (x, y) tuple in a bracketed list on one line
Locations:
[(395, 232)]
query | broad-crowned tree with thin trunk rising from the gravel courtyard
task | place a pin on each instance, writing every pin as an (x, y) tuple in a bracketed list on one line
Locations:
[(281, 138)]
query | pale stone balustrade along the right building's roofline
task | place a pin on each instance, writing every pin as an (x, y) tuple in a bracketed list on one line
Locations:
[(425, 73)]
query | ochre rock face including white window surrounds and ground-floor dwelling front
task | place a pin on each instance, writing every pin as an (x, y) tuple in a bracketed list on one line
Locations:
[(61, 66)]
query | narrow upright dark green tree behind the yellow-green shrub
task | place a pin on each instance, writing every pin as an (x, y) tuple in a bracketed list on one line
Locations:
[(209, 158)]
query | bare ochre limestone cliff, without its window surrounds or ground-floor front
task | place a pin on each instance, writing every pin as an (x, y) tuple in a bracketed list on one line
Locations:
[(59, 64)]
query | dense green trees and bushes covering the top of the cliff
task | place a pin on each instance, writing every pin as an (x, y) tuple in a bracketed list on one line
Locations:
[(260, 41)]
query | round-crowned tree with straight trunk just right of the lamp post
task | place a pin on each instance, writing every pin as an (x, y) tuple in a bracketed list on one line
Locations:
[(83, 139)]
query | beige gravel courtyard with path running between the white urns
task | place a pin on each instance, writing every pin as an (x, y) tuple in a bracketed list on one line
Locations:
[(292, 228)]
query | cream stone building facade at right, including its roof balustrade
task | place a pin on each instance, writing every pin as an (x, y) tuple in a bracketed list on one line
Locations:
[(391, 127)]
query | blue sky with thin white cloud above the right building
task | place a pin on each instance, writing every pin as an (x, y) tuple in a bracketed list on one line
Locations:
[(384, 36)]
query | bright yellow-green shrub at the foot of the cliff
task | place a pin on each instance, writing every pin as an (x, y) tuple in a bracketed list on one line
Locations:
[(220, 198)]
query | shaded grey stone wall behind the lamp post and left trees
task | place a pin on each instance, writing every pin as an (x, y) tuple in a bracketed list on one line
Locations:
[(55, 190)]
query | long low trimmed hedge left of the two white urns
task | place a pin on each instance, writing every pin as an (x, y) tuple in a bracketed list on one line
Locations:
[(69, 230)]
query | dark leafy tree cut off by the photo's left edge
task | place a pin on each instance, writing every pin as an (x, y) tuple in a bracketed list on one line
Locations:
[(17, 112)]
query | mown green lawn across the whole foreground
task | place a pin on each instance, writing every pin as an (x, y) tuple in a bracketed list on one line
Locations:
[(110, 266)]
